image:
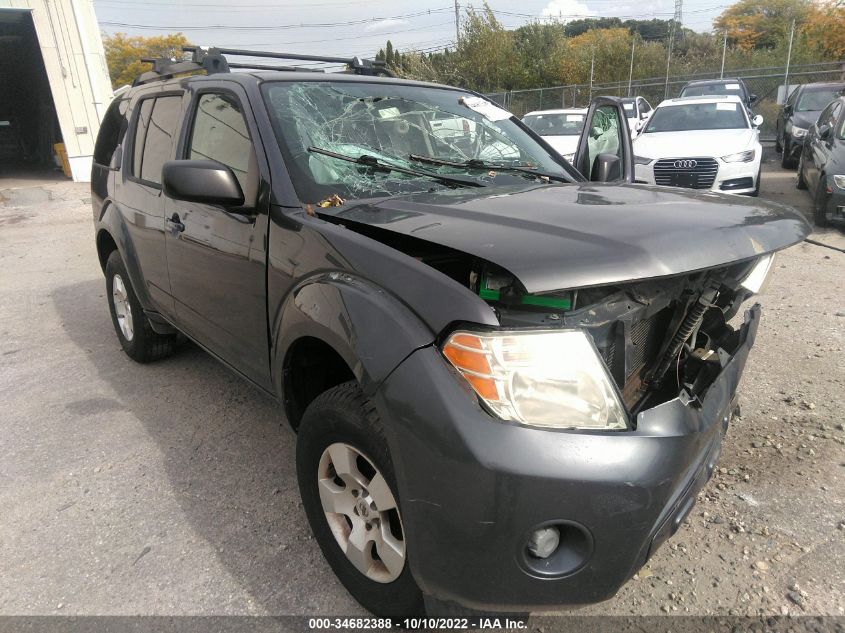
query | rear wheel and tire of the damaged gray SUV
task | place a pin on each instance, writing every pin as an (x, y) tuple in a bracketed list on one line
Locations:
[(134, 331)]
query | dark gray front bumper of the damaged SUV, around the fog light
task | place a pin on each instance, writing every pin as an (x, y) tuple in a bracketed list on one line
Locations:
[(472, 489)]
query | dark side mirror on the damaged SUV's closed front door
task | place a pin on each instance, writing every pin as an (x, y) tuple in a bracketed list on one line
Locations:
[(204, 181)]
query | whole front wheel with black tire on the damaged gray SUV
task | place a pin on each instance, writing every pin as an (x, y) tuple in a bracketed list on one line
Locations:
[(349, 493)]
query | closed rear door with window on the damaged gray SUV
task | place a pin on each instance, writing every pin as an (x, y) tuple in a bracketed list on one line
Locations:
[(138, 191)]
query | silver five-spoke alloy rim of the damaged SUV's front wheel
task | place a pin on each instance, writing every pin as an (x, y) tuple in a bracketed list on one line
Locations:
[(361, 512)]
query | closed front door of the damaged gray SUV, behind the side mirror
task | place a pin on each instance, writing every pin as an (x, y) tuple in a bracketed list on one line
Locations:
[(216, 255)]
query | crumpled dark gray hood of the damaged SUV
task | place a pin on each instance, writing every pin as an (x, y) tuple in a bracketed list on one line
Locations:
[(554, 237)]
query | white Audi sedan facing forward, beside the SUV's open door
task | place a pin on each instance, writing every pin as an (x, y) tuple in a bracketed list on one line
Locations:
[(701, 143)]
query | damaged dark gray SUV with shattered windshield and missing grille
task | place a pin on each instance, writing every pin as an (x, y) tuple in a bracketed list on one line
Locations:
[(509, 375)]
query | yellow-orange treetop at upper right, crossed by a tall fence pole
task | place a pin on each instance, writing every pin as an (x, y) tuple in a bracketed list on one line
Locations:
[(761, 24)]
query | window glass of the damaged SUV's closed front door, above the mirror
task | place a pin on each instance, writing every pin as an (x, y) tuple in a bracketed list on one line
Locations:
[(220, 133)]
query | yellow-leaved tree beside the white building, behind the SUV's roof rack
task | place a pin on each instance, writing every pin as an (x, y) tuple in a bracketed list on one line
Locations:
[(124, 54)]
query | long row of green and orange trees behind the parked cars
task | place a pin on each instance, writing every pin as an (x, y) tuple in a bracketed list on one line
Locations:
[(491, 58)]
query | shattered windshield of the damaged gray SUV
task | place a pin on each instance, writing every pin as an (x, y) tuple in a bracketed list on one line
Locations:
[(413, 128)]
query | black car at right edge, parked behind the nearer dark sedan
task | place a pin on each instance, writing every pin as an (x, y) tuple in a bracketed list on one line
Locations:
[(798, 113)]
